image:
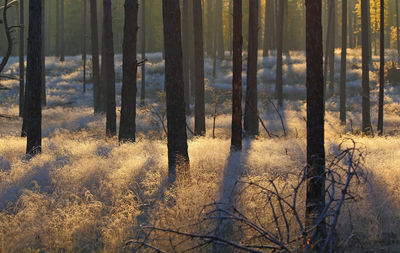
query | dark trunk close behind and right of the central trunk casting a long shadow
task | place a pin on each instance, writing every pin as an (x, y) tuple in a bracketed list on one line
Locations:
[(251, 110)]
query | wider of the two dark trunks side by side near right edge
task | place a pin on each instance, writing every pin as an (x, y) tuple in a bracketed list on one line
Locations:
[(366, 117)]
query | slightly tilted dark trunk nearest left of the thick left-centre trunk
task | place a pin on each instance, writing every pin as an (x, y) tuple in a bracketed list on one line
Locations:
[(109, 72)]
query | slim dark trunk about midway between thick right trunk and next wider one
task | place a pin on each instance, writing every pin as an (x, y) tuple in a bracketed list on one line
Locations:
[(343, 64)]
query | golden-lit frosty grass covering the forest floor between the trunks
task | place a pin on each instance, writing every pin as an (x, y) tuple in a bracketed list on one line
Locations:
[(86, 192)]
